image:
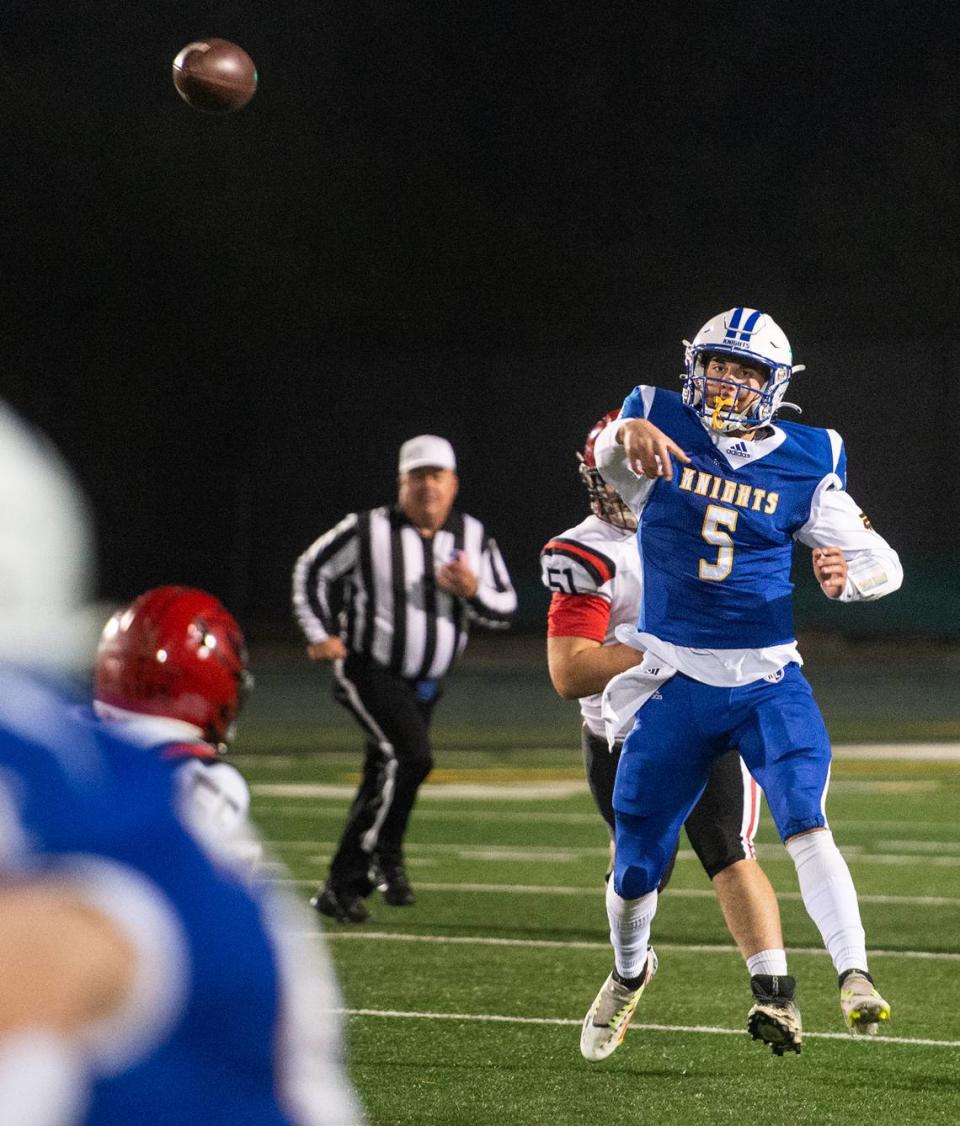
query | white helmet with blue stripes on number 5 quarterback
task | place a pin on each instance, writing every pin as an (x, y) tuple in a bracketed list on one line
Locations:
[(744, 335)]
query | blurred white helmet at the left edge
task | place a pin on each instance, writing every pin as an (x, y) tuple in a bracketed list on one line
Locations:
[(46, 555)]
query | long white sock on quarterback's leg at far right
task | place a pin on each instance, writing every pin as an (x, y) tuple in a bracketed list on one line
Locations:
[(830, 898)]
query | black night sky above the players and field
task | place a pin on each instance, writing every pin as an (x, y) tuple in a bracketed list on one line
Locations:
[(488, 221)]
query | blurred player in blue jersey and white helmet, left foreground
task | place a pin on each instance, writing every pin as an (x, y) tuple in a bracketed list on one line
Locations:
[(143, 979)]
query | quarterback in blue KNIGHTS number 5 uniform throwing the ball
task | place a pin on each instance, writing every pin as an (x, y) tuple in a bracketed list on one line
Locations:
[(722, 490)]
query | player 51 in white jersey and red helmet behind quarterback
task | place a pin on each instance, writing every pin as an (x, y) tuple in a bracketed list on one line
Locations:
[(595, 574)]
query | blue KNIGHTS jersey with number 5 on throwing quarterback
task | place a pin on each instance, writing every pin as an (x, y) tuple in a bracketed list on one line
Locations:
[(716, 542)]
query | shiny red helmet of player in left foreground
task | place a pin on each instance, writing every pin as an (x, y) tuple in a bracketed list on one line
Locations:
[(175, 653)]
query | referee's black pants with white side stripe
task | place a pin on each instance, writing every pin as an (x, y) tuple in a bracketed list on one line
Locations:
[(396, 716)]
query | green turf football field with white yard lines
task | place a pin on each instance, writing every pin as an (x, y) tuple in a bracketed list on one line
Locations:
[(465, 1008)]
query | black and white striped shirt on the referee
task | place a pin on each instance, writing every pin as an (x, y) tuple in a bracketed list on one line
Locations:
[(373, 580)]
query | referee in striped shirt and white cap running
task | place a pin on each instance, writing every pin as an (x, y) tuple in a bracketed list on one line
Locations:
[(389, 596)]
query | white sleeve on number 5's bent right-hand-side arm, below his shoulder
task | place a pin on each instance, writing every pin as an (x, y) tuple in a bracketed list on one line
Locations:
[(874, 568)]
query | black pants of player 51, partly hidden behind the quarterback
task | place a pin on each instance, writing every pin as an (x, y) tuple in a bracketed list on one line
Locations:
[(717, 825)]
